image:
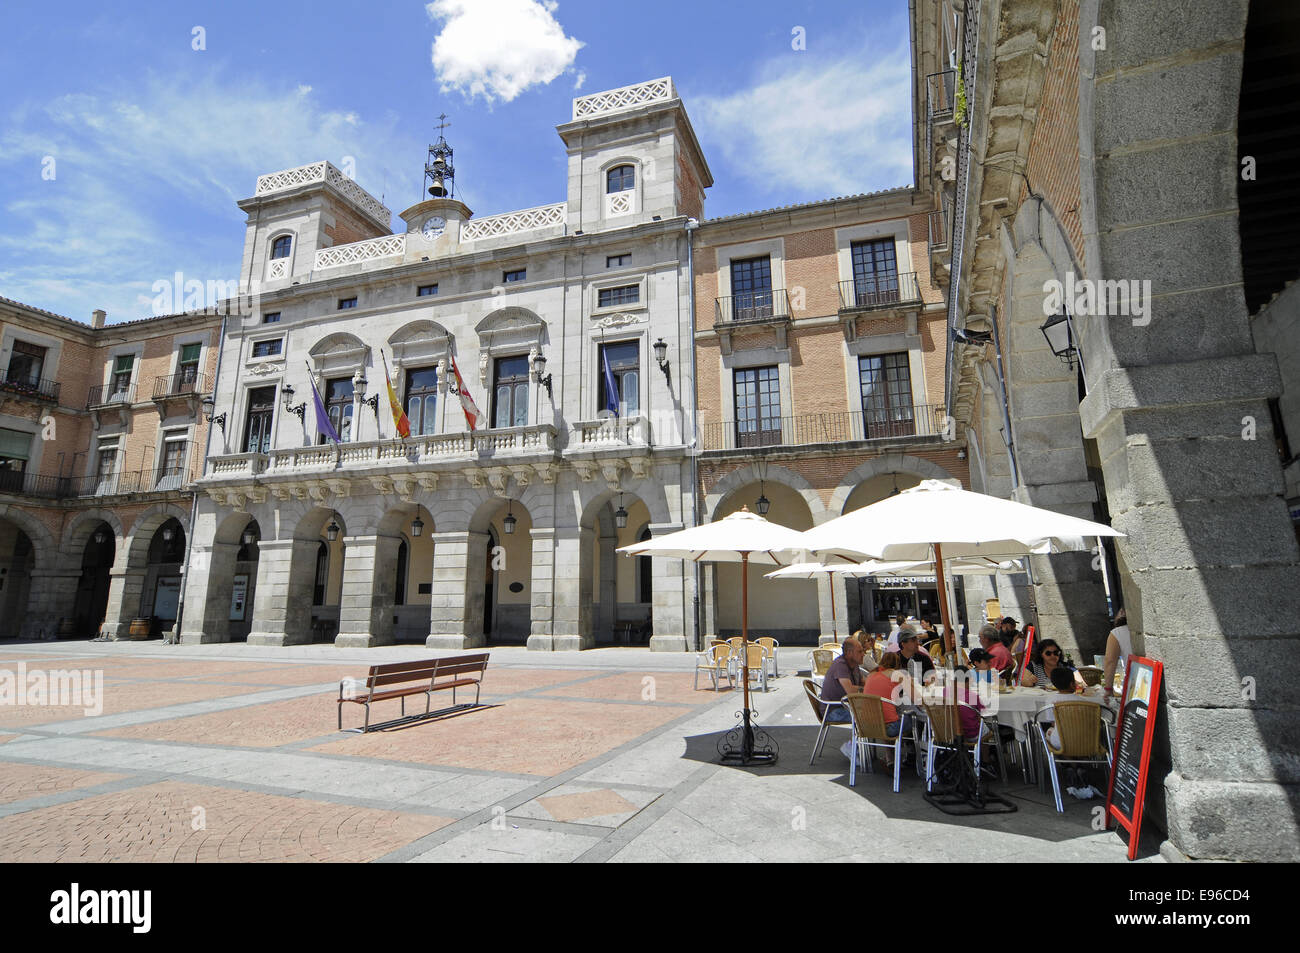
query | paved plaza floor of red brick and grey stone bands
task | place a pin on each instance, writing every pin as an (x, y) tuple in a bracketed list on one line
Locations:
[(231, 753)]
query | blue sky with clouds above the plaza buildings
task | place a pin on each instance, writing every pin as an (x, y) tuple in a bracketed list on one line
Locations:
[(124, 149)]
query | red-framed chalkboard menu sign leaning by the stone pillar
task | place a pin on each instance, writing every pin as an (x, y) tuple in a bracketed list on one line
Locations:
[(1134, 731)]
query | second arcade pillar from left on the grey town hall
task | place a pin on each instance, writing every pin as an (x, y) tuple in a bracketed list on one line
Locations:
[(283, 603)]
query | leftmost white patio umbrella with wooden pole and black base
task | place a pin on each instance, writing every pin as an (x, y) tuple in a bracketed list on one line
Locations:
[(743, 538)]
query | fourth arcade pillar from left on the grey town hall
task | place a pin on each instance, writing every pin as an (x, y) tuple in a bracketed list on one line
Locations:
[(457, 603)]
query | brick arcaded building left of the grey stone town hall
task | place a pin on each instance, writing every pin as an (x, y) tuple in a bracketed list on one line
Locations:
[(101, 440)]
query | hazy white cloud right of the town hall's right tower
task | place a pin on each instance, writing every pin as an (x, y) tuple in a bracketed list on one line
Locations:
[(821, 128)]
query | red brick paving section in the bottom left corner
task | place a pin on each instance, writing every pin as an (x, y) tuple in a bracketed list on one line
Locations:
[(174, 822)]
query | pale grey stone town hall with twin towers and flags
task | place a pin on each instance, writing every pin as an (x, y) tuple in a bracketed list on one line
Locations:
[(570, 328)]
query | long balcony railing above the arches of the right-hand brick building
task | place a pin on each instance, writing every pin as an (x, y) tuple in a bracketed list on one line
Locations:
[(890, 423)]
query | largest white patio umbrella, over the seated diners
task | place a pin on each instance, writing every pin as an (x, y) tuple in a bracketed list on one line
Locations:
[(935, 522)]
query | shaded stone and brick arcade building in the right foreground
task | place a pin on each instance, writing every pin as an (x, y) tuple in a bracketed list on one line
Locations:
[(1087, 153)]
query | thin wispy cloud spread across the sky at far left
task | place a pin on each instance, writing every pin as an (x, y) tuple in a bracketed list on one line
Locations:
[(148, 181)]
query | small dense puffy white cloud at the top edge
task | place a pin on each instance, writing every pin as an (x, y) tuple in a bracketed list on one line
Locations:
[(499, 49)]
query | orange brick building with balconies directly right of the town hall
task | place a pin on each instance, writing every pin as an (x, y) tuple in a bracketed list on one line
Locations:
[(821, 348)]
